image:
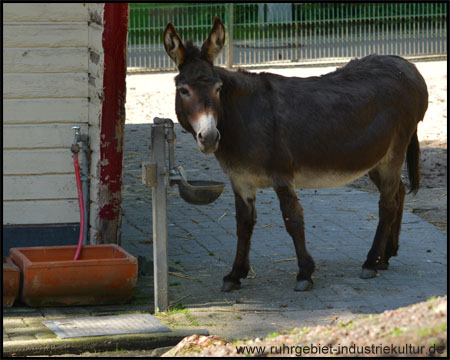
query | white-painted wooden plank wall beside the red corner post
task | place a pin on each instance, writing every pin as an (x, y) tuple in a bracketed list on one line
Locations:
[(52, 80)]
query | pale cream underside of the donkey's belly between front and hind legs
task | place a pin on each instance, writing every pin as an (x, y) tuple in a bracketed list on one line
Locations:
[(315, 179)]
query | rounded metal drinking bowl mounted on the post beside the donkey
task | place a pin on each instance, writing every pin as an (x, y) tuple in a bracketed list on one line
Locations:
[(200, 192)]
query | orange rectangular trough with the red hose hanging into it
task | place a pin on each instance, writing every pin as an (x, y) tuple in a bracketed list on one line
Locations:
[(103, 274)]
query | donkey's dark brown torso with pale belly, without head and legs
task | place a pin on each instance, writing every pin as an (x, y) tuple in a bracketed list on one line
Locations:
[(326, 131)]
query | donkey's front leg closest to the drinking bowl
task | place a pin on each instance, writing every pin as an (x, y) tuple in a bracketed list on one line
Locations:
[(245, 197)]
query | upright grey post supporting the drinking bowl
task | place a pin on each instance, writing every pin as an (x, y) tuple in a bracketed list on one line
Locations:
[(159, 208)]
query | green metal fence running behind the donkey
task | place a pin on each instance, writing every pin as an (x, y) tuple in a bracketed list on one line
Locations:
[(266, 33)]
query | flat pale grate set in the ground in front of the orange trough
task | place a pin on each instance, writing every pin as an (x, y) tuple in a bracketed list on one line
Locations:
[(105, 325)]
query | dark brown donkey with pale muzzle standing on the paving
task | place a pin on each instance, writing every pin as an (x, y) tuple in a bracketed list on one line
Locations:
[(268, 130)]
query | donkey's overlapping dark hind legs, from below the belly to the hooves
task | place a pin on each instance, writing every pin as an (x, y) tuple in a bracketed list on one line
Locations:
[(385, 244)]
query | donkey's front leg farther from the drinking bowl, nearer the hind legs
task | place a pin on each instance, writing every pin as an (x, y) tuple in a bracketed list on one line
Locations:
[(293, 220)]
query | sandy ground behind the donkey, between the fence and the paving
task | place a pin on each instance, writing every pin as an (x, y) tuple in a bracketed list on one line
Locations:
[(153, 95)]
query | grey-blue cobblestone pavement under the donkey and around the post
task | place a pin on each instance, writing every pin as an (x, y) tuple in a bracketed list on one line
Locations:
[(340, 225)]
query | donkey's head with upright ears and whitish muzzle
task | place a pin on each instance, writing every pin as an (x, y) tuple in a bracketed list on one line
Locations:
[(198, 85)]
